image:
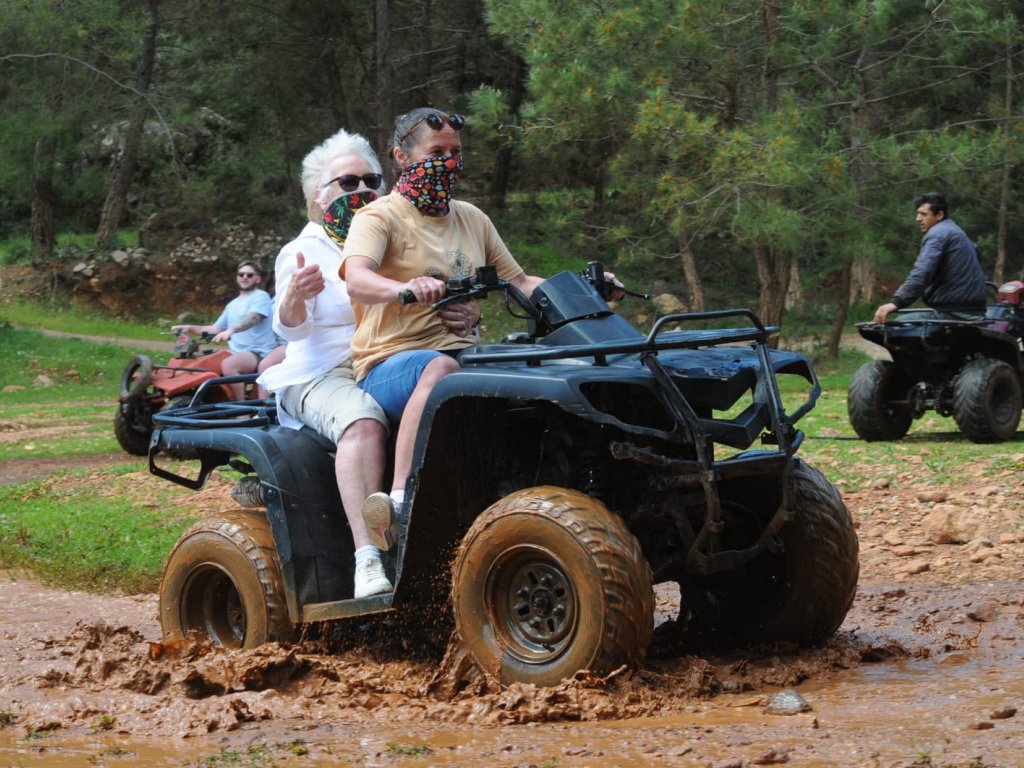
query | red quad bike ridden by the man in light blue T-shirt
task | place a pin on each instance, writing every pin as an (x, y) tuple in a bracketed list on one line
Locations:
[(147, 389)]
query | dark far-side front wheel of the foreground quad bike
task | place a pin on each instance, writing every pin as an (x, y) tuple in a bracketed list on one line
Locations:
[(801, 593)]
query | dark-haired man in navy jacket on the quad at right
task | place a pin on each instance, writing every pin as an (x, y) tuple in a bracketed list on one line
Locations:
[(948, 274)]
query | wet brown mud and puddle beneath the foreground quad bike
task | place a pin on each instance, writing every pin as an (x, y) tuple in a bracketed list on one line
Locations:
[(936, 672)]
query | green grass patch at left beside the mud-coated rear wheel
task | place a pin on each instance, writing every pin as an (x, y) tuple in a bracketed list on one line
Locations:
[(97, 533)]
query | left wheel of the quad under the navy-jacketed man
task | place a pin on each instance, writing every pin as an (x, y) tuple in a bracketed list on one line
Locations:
[(877, 402)]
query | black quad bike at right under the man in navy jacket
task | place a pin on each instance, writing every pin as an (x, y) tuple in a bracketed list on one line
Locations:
[(969, 369)]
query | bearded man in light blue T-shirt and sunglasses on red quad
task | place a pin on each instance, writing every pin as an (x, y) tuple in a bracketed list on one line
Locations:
[(245, 325)]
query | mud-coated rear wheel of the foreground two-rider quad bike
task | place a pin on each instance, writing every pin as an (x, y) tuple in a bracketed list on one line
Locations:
[(223, 583)]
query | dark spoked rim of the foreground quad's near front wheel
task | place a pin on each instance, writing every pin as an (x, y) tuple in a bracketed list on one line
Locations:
[(534, 603)]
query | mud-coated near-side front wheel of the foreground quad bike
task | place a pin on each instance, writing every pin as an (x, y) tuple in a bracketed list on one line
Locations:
[(548, 582)]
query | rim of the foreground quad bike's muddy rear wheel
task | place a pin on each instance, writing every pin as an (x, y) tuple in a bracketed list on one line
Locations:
[(211, 606)]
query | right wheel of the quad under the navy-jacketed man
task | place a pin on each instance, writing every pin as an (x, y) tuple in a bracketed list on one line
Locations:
[(988, 401)]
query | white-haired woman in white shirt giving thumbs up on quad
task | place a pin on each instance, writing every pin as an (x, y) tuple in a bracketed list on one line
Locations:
[(315, 383)]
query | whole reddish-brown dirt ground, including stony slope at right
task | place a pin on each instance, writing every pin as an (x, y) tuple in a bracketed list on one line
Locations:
[(73, 665)]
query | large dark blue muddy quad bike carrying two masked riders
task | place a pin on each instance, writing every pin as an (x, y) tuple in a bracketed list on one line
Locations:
[(557, 478)]
